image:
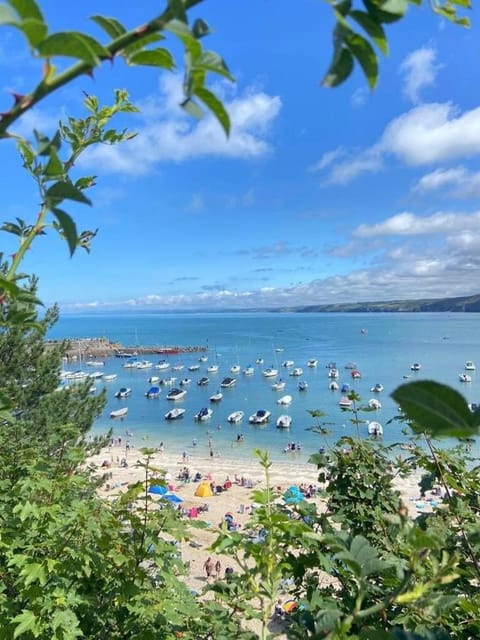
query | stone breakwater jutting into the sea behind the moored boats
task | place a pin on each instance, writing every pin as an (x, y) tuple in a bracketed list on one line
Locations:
[(80, 348)]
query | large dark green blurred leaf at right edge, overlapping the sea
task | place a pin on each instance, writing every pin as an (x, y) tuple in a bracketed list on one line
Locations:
[(436, 408)]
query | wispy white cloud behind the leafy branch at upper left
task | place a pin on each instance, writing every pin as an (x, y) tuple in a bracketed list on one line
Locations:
[(170, 135)]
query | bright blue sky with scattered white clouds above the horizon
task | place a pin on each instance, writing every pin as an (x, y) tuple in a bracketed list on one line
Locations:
[(318, 196)]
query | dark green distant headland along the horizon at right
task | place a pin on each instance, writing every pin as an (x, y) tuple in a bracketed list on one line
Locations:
[(462, 304)]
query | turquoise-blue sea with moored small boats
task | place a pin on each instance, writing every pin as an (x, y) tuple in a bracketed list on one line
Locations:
[(382, 347)]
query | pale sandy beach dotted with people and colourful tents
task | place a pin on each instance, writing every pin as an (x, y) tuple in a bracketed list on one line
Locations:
[(241, 476)]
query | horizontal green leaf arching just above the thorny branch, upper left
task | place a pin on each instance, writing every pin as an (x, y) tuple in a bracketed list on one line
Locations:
[(73, 45)]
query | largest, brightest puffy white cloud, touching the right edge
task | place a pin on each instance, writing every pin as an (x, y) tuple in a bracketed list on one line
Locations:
[(426, 134)]
